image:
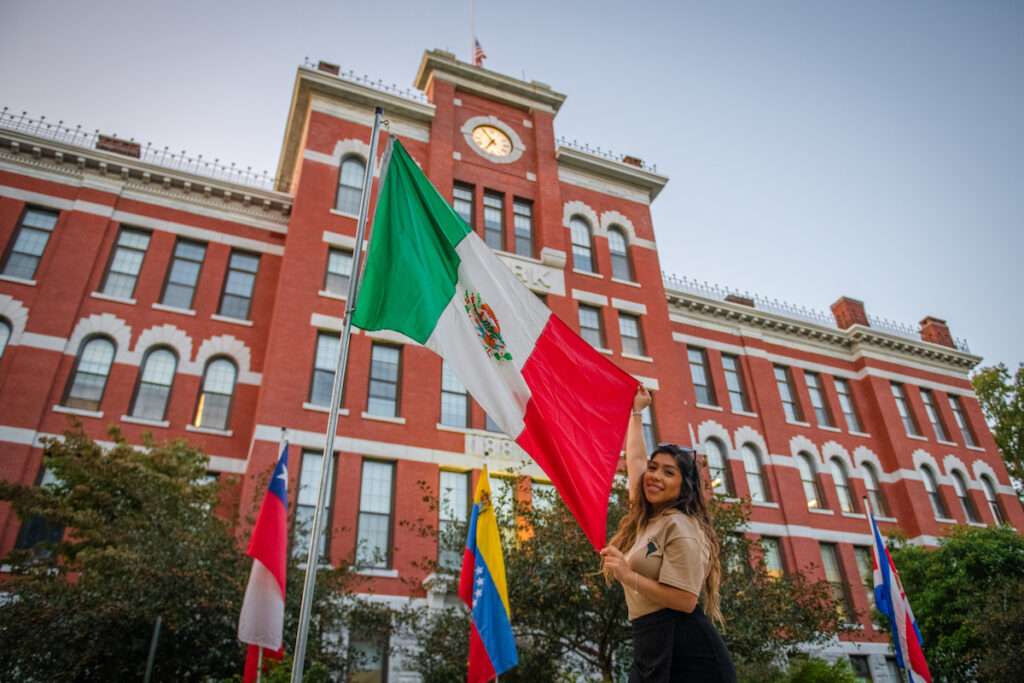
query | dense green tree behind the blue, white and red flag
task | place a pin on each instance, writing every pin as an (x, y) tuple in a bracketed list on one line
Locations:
[(968, 597)]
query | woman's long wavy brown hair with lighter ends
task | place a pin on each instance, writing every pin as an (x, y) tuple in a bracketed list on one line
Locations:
[(691, 502)]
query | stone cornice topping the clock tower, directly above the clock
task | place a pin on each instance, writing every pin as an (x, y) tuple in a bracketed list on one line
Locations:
[(492, 86)]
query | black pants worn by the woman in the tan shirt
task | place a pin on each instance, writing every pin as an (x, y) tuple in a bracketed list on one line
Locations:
[(671, 647)]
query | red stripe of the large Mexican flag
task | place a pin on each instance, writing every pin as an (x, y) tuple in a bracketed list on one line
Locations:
[(576, 422)]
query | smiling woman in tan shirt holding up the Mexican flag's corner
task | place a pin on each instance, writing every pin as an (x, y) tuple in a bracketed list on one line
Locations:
[(665, 554)]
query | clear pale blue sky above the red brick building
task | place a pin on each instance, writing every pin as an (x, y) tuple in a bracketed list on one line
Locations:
[(872, 149)]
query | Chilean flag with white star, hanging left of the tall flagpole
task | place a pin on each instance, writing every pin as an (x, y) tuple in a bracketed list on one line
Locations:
[(262, 622)]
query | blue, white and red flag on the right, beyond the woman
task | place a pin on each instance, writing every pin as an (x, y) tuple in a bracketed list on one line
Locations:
[(892, 603)]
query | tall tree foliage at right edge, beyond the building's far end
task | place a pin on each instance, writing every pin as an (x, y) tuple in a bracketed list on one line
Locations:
[(1002, 399)]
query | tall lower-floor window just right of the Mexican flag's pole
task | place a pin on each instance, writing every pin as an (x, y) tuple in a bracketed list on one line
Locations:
[(376, 496)]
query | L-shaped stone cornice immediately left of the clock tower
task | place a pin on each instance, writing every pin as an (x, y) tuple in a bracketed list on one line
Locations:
[(310, 81)]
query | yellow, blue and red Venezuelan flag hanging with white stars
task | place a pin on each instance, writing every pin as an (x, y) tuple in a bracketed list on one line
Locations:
[(483, 588)]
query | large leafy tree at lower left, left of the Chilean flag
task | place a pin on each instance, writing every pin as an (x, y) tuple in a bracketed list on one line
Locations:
[(143, 542)]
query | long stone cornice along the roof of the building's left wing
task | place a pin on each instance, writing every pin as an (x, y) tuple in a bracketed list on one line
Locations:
[(68, 160)]
